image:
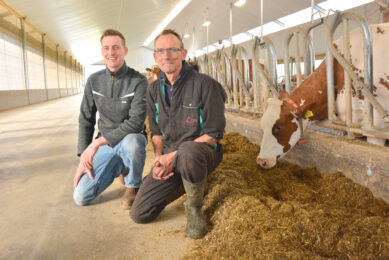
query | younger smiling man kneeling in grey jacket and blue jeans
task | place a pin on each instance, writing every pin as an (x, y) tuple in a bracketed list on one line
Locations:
[(118, 93)]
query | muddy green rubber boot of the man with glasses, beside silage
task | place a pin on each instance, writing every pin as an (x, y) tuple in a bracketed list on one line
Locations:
[(196, 226)]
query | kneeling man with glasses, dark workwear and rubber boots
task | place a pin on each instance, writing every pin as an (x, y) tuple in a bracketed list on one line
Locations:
[(186, 116)]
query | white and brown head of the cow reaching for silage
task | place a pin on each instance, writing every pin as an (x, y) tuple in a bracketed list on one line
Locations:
[(281, 130)]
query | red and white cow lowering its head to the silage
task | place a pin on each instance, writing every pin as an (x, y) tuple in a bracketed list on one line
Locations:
[(280, 122)]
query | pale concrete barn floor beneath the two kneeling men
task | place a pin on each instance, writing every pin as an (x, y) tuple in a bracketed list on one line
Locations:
[(38, 219)]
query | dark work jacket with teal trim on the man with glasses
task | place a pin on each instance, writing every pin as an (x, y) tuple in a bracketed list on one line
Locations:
[(197, 107)]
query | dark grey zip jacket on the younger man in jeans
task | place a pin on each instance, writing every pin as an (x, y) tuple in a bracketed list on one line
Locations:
[(120, 99)]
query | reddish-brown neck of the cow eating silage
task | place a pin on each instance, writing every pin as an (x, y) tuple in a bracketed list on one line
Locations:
[(312, 93)]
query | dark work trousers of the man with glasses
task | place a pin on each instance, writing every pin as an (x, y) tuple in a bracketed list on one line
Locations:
[(193, 161)]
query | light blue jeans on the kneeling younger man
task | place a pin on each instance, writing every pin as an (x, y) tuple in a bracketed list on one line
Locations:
[(109, 163)]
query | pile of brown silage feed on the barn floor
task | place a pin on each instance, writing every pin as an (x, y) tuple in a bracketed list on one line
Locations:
[(287, 212)]
